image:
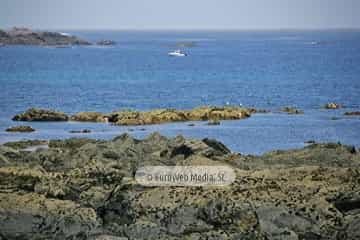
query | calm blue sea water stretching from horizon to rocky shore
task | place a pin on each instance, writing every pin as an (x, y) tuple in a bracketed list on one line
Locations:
[(268, 70)]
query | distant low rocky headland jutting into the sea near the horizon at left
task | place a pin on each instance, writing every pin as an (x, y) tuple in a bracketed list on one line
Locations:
[(25, 36)]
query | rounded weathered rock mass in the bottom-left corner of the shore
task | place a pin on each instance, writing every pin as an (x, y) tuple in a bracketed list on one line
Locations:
[(32, 216)]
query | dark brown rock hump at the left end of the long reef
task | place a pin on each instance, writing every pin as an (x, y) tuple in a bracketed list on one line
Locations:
[(35, 114)]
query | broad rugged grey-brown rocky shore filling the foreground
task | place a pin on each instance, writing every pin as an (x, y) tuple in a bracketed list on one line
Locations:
[(85, 189)]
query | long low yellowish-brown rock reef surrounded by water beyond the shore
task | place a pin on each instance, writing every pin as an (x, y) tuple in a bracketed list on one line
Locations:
[(127, 117)]
